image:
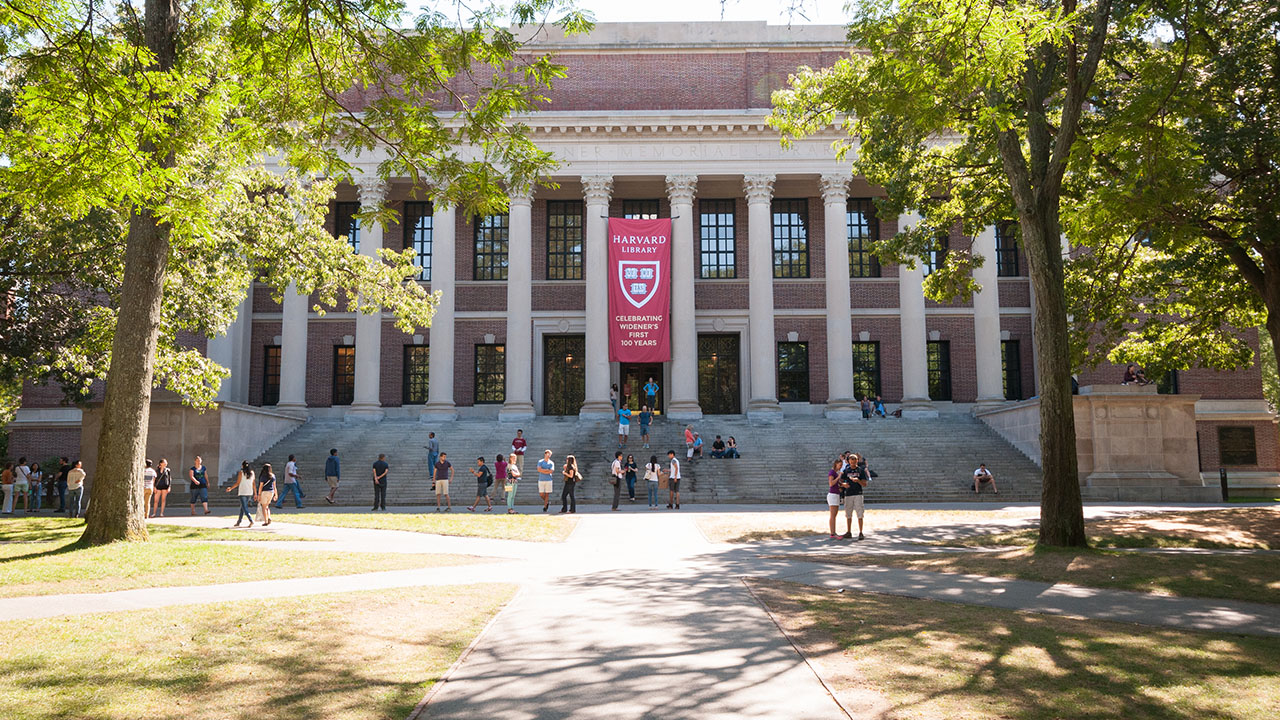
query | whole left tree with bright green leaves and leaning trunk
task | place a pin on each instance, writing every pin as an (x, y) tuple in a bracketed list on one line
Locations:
[(214, 131)]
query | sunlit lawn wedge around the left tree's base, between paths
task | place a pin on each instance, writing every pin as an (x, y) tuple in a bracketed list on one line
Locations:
[(66, 567)]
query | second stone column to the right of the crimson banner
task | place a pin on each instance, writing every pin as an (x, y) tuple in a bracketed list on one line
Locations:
[(764, 407)]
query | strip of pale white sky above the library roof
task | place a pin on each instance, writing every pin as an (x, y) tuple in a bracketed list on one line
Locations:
[(821, 12)]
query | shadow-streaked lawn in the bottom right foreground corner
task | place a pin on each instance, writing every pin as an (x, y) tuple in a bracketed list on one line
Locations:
[(898, 659)]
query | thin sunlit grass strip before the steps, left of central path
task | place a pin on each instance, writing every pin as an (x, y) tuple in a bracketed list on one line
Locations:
[(497, 525)]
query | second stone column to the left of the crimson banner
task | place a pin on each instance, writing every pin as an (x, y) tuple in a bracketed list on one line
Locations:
[(520, 298)]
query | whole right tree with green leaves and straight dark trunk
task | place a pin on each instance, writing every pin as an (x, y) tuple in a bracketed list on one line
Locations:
[(971, 112)]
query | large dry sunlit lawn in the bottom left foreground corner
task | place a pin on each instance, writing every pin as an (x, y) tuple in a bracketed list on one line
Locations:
[(355, 657)]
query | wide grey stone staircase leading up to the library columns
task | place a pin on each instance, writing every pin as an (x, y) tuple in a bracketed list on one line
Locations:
[(917, 461)]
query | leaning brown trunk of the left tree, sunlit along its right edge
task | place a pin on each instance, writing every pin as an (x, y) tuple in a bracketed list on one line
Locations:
[(117, 511)]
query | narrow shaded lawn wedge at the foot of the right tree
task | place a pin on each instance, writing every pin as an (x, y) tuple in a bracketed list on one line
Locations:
[(1254, 578)]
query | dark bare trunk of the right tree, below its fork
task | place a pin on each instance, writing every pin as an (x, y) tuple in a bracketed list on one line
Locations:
[(1062, 513)]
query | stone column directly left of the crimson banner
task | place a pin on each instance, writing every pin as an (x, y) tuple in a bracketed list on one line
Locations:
[(596, 192)]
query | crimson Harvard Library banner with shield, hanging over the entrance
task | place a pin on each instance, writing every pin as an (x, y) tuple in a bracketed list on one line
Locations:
[(639, 290)]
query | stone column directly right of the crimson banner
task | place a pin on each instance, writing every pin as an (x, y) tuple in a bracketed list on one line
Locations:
[(684, 334)]
